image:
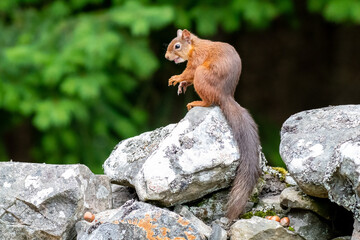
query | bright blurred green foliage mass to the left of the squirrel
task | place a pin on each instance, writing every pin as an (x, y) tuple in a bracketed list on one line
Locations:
[(73, 73)]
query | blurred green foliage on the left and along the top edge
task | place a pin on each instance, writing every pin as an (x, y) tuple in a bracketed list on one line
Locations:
[(77, 69)]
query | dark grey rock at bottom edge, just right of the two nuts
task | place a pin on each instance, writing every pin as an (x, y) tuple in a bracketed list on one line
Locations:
[(309, 225)]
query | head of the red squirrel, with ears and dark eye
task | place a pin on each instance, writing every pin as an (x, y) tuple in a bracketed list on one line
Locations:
[(179, 48)]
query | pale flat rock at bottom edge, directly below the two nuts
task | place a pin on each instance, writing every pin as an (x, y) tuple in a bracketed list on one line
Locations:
[(258, 228)]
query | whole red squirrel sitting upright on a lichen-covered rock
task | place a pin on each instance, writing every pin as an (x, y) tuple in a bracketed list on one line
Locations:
[(214, 68)]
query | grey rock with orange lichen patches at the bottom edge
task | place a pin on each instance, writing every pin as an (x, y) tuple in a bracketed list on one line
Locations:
[(138, 220)]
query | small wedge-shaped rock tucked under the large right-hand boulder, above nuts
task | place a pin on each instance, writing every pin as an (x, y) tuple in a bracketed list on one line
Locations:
[(293, 198)]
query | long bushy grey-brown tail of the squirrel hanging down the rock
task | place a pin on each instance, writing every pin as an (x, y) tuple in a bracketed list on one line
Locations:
[(246, 135)]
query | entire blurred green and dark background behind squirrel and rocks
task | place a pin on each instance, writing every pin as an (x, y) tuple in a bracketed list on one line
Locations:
[(78, 76)]
